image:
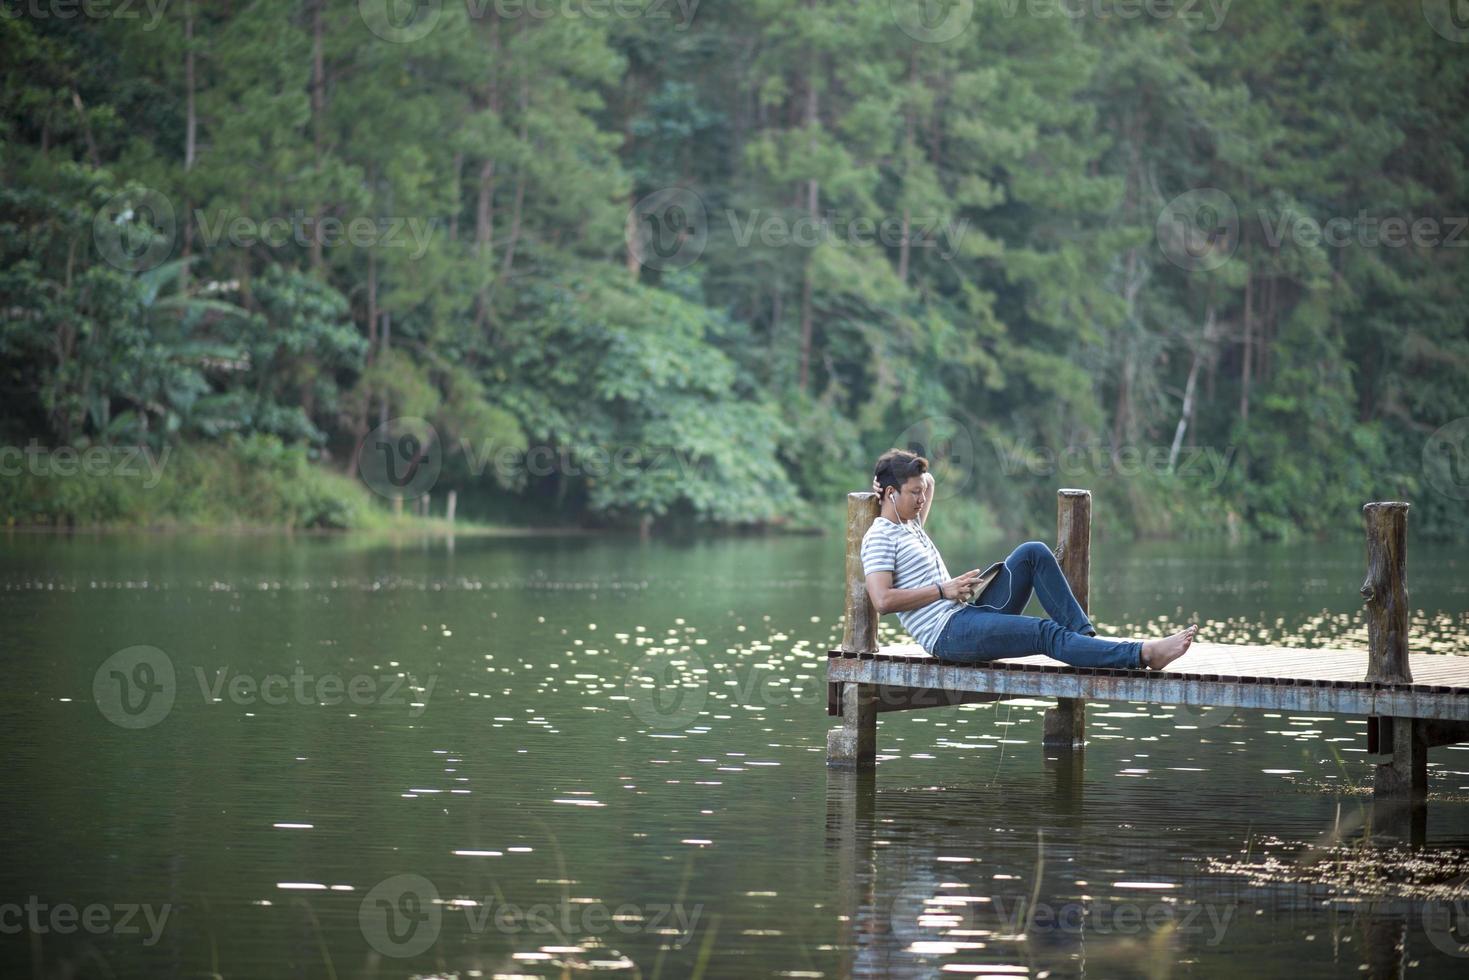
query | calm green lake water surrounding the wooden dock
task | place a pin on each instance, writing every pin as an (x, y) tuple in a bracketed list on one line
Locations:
[(543, 757)]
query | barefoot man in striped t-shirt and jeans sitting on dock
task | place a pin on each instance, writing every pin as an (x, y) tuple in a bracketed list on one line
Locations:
[(979, 616)]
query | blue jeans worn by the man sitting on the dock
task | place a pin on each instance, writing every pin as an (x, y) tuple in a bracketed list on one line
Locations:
[(992, 628)]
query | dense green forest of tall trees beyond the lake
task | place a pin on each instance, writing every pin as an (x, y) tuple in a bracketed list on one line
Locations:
[(676, 264)]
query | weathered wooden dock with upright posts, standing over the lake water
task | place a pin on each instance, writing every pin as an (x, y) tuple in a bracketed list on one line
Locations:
[(1412, 702)]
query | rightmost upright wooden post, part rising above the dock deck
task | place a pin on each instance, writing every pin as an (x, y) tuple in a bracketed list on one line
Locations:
[(1386, 593)]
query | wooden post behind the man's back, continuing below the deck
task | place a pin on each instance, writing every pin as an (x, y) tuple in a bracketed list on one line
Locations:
[(854, 746)]
